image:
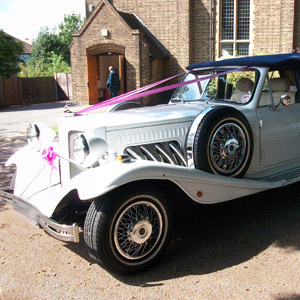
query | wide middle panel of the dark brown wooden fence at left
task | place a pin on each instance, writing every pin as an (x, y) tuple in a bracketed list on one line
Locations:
[(38, 90)]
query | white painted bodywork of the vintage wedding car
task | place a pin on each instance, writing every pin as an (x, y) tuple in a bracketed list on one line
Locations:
[(276, 152)]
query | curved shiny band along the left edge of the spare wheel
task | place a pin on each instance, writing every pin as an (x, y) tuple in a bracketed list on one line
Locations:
[(191, 137)]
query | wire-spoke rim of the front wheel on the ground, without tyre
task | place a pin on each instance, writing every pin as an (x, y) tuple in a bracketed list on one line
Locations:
[(138, 230)]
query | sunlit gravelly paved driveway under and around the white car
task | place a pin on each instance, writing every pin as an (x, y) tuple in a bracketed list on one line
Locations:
[(245, 249)]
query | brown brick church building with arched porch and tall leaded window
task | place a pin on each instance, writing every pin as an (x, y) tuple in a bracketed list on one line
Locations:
[(148, 40)]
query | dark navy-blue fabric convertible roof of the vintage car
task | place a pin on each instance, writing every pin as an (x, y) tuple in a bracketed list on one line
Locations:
[(274, 62)]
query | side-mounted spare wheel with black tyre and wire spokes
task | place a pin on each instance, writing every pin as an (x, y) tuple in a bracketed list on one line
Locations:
[(223, 143)]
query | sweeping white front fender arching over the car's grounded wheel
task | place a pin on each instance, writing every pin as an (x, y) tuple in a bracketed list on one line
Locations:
[(213, 188)]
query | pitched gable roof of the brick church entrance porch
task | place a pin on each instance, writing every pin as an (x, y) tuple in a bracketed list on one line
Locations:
[(130, 22)]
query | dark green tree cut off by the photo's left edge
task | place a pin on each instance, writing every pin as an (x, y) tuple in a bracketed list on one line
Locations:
[(10, 51)]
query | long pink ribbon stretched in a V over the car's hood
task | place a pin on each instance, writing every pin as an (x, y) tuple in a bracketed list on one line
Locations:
[(143, 92)]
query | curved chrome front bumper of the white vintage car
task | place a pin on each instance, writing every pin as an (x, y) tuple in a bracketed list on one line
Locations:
[(67, 233)]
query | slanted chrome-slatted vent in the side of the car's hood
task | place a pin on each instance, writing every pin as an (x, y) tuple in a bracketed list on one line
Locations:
[(168, 152)]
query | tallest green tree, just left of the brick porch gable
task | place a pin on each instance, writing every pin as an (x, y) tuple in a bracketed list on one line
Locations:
[(72, 23)]
